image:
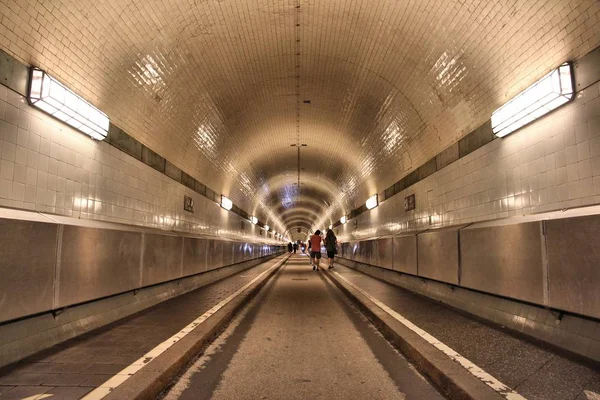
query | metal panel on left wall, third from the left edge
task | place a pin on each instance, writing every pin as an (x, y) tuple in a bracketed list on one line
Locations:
[(162, 258)]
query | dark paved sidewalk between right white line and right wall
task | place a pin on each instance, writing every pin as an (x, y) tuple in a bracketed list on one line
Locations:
[(532, 370)]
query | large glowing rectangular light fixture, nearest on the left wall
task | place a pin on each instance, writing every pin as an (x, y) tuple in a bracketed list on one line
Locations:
[(52, 97)]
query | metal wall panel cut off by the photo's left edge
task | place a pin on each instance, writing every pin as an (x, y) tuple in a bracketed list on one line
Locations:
[(27, 283)]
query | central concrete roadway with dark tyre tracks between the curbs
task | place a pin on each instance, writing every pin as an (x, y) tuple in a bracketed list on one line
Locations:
[(301, 339)]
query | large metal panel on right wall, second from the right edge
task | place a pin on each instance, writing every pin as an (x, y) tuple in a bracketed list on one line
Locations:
[(503, 259)]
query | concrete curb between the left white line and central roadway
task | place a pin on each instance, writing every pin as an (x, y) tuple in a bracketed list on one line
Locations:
[(151, 380)]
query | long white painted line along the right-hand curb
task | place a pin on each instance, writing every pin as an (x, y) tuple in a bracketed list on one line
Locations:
[(479, 373)]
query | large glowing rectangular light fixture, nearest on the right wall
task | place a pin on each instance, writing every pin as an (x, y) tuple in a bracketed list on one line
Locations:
[(544, 96)]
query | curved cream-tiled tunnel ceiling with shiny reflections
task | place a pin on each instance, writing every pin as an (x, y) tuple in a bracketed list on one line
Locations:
[(218, 87)]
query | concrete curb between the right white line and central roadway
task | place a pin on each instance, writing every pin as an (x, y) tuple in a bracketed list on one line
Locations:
[(450, 378)]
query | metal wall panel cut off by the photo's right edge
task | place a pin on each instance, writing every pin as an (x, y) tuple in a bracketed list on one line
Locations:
[(574, 264)]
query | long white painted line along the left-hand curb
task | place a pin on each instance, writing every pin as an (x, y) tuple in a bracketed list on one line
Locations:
[(126, 373)]
